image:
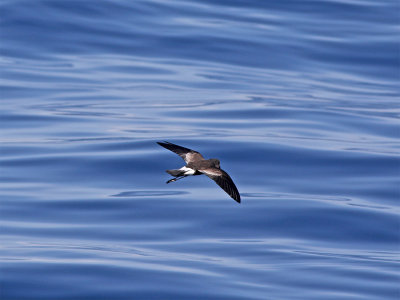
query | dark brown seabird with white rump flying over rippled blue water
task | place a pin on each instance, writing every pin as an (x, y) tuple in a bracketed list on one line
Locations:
[(196, 164)]
